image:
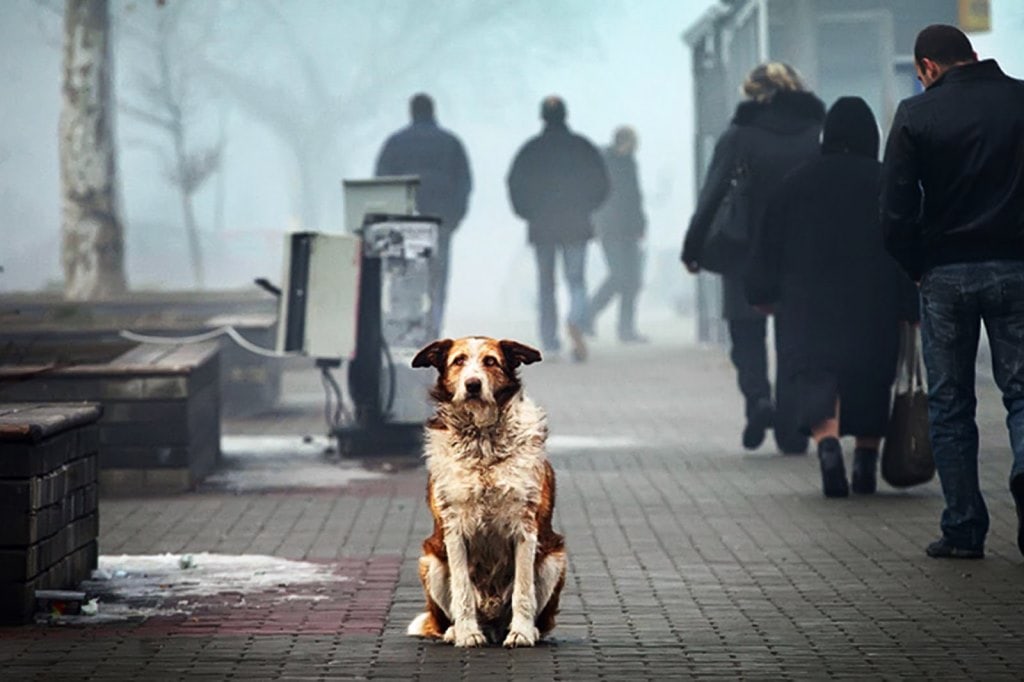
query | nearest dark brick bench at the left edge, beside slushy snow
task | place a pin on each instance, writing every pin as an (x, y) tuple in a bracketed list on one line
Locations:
[(49, 501)]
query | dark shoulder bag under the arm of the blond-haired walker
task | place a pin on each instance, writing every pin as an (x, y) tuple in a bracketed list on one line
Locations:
[(728, 242)]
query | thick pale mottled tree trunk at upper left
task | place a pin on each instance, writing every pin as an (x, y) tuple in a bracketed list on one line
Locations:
[(93, 237)]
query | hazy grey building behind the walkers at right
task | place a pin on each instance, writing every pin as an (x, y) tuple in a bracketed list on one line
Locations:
[(840, 48)]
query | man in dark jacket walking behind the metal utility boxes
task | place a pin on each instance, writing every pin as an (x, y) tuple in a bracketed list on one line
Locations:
[(437, 156)]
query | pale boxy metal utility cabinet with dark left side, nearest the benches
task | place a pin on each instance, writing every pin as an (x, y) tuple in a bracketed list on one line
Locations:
[(319, 302)]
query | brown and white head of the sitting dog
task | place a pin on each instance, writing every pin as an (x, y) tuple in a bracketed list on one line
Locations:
[(476, 372)]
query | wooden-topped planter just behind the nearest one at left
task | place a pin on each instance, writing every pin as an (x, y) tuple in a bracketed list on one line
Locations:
[(160, 432)]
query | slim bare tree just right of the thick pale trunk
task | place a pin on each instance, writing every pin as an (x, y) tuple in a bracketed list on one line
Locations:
[(167, 93)]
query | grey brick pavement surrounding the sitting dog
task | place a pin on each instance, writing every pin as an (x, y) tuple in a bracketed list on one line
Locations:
[(690, 559)]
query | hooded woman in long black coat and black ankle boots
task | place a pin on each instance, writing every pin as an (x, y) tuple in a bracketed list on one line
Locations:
[(838, 296)]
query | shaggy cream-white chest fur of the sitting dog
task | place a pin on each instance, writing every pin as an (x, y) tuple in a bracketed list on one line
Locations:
[(487, 482)]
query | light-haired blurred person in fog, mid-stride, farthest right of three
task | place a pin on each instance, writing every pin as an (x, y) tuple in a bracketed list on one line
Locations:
[(621, 225)]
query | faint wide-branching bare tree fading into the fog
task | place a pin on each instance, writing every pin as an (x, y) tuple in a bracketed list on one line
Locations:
[(389, 47)]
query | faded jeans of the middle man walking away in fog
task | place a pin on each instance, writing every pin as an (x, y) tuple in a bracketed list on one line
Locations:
[(574, 263)]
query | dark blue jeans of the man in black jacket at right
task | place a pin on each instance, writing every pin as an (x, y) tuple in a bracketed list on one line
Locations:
[(956, 300)]
